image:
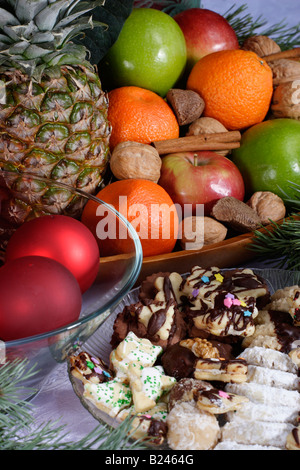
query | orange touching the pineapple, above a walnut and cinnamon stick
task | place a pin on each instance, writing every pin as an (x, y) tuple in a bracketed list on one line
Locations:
[(140, 115)]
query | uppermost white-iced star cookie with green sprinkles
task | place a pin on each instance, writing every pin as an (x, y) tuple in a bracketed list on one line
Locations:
[(133, 350)]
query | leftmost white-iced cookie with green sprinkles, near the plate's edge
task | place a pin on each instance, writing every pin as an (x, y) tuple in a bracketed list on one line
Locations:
[(110, 397)]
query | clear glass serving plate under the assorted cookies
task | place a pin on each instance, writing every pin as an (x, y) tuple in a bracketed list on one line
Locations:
[(99, 343)]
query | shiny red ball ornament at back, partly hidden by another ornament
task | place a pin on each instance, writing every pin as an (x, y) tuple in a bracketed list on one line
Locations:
[(62, 238)]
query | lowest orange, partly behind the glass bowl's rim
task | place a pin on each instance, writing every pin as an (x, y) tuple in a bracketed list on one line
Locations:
[(149, 209)]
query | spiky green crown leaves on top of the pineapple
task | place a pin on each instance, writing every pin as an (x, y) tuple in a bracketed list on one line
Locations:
[(39, 34)]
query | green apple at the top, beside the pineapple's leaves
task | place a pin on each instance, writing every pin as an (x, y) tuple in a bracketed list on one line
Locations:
[(150, 52)]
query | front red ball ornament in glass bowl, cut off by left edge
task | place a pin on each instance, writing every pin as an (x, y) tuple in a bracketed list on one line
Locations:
[(37, 295)]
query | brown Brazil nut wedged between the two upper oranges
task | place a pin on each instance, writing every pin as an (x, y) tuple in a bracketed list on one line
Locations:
[(186, 104)]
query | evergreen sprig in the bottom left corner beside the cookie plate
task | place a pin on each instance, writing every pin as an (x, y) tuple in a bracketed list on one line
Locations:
[(18, 430)]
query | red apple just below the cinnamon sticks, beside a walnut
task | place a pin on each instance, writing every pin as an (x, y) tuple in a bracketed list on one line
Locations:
[(200, 178)]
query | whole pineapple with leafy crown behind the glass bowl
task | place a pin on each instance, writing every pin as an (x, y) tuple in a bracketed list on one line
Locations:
[(53, 111)]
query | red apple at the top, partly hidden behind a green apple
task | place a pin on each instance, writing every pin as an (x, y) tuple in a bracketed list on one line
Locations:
[(205, 31)]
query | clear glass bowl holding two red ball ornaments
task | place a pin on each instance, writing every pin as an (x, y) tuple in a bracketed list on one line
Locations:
[(116, 276)]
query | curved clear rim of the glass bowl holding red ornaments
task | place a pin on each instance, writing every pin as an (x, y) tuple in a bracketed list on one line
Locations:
[(129, 284)]
